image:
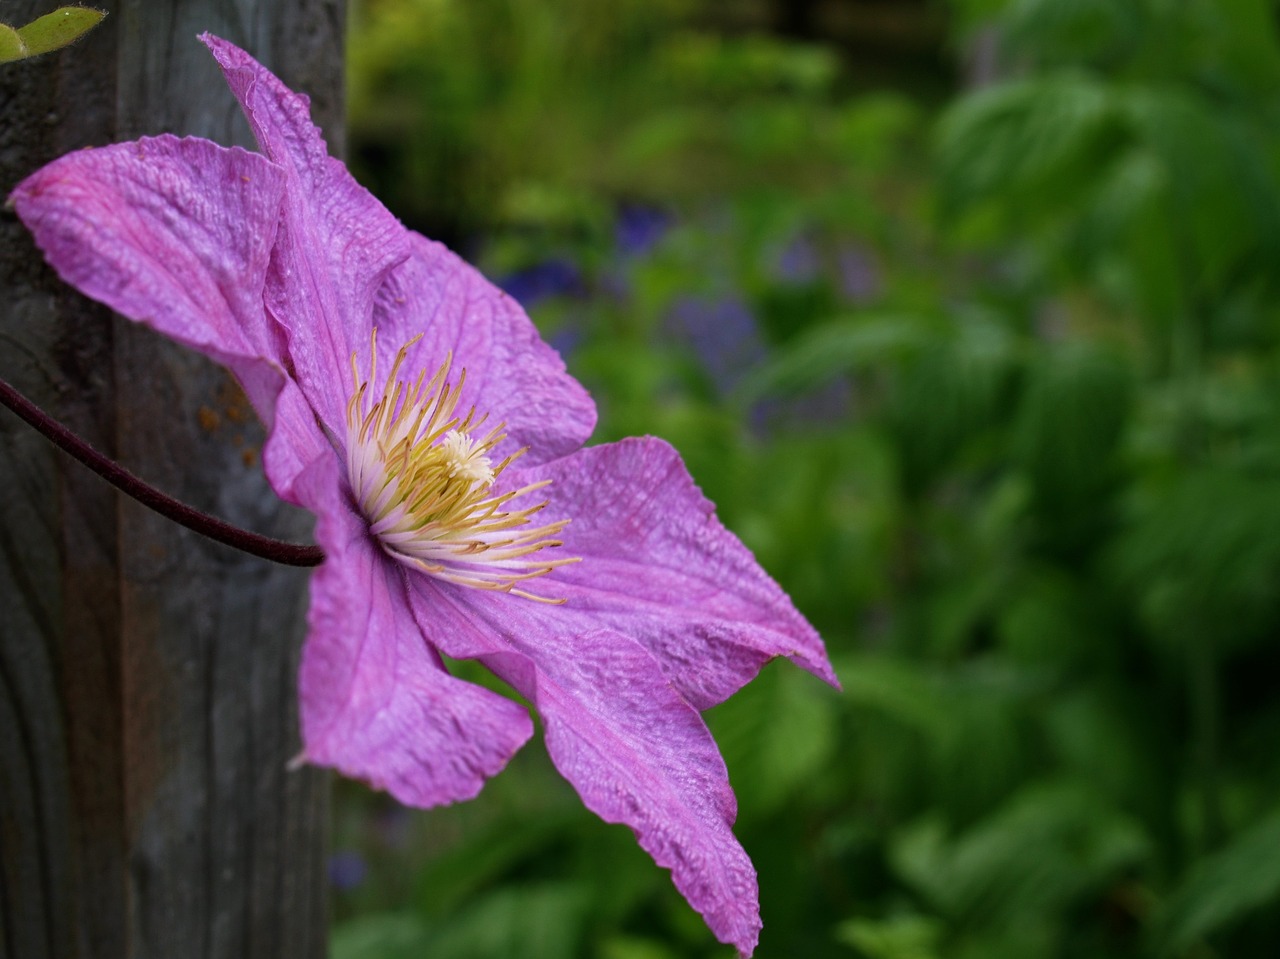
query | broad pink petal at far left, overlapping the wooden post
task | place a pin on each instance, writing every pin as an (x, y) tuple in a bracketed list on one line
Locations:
[(175, 234)]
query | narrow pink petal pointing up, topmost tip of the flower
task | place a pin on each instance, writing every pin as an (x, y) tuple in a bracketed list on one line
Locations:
[(337, 243)]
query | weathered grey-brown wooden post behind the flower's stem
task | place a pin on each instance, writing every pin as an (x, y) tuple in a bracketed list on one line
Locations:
[(148, 678)]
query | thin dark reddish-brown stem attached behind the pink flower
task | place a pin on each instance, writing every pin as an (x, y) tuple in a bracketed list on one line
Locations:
[(204, 524)]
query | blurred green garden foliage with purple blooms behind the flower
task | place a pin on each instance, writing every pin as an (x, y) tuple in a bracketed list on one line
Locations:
[(991, 386)]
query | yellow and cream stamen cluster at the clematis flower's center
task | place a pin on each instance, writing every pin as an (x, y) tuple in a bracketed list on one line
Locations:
[(424, 479)]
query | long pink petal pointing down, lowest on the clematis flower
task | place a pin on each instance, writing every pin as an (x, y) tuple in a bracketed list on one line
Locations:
[(636, 751)]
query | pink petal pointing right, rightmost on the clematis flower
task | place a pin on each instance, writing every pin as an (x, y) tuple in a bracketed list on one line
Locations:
[(659, 567)]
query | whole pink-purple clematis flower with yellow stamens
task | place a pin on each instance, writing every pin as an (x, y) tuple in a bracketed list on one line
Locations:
[(415, 412)]
